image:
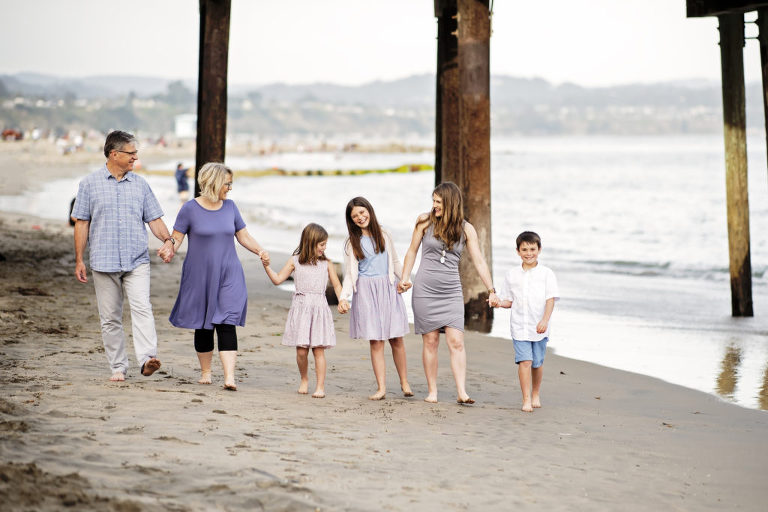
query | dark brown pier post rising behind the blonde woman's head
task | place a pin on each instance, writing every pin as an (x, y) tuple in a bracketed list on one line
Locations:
[(212, 84)]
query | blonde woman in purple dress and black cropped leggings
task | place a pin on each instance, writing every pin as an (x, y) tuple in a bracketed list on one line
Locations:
[(212, 293)]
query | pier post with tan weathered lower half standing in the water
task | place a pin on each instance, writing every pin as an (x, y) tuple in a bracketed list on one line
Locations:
[(731, 28)]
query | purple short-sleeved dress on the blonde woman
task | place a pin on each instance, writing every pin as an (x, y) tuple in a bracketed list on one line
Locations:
[(212, 288)]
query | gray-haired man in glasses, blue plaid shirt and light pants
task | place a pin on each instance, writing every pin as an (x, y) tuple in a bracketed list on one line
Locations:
[(111, 208)]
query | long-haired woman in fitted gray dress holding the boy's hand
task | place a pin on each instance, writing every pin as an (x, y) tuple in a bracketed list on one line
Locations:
[(438, 301)]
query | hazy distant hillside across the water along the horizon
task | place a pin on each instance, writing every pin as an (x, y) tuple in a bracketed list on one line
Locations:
[(382, 108)]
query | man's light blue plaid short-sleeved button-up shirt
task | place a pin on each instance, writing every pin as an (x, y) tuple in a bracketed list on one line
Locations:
[(117, 211)]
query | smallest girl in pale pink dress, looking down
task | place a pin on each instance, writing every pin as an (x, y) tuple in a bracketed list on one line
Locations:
[(310, 323)]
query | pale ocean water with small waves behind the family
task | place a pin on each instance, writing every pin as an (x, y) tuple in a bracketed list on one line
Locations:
[(634, 228)]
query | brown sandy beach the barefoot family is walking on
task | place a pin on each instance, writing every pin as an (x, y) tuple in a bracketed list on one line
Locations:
[(604, 439)]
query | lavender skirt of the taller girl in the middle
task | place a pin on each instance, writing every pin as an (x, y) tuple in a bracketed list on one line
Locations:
[(378, 311)]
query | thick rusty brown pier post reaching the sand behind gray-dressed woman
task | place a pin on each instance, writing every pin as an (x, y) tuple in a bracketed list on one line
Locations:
[(475, 149)]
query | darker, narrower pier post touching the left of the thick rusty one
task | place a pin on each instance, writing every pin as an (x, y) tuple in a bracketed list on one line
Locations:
[(447, 82)]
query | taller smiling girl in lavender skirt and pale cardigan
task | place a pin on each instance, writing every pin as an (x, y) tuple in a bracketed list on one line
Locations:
[(378, 312)]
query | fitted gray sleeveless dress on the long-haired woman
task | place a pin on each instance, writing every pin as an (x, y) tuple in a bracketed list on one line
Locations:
[(437, 299)]
